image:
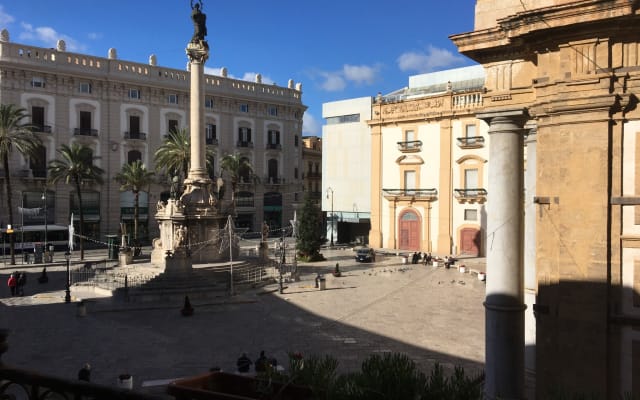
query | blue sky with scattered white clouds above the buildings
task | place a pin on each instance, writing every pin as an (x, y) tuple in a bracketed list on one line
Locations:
[(336, 49)]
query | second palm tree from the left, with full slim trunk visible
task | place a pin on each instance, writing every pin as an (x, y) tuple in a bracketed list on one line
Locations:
[(75, 165)]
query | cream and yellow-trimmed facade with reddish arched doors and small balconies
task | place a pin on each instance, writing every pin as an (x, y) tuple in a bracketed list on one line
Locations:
[(429, 157)]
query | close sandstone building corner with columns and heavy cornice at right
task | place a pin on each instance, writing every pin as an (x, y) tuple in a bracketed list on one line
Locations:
[(567, 73)]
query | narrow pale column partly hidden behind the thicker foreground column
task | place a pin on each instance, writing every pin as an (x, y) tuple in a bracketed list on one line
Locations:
[(530, 279)]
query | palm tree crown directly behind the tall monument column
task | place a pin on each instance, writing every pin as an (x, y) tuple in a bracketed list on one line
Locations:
[(174, 155)]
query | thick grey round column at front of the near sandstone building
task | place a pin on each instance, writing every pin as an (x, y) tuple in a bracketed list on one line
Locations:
[(504, 301)]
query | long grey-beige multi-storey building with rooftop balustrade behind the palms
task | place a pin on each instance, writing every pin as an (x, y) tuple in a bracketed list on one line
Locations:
[(122, 110)]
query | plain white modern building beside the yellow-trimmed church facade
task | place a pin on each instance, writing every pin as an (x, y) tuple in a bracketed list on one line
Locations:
[(346, 157)]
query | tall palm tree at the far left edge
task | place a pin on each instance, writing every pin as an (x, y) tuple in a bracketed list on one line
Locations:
[(14, 134)]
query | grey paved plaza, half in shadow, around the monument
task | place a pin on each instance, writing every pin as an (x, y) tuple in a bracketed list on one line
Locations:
[(431, 314)]
